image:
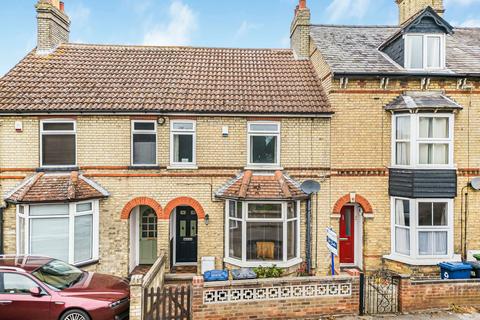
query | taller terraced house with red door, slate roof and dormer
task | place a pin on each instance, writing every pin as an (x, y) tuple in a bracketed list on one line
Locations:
[(405, 135)]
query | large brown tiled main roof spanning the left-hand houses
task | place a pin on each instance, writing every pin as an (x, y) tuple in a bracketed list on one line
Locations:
[(109, 78)]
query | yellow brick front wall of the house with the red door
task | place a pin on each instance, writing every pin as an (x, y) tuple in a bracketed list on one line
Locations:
[(361, 139)]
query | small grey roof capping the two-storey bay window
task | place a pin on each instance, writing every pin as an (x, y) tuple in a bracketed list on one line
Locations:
[(422, 100)]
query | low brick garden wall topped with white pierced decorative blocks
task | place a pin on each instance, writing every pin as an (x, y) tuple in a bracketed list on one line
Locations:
[(282, 298)]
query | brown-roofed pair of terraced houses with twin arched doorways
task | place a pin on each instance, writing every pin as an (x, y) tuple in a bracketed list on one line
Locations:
[(111, 155)]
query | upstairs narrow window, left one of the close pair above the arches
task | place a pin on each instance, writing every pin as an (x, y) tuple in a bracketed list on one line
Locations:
[(144, 143)]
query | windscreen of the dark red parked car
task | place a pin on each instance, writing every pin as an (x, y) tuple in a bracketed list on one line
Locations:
[(58, 274)]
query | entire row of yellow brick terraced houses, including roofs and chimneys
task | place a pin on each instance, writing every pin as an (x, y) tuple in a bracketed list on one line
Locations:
[(111, 155)]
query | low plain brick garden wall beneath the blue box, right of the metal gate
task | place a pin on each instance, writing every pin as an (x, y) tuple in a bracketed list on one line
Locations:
[(422, 295)]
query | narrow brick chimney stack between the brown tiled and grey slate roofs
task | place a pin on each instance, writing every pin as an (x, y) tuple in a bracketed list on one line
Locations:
[(300, 31)]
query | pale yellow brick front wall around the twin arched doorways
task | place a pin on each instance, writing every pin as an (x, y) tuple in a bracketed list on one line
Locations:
[(105, 141)]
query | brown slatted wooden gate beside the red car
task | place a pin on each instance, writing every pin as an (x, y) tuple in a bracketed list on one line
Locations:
[(168, 303)]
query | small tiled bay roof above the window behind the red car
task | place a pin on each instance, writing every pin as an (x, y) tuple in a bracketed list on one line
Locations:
[(56, 187)]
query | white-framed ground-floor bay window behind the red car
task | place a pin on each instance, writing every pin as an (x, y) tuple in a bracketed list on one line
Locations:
[(65, 231)]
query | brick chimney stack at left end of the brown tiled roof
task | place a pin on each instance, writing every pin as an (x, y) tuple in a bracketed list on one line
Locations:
[(53, 25)]
